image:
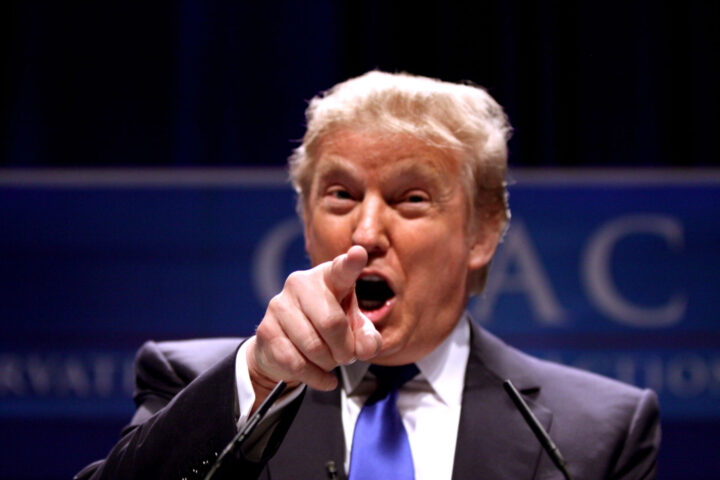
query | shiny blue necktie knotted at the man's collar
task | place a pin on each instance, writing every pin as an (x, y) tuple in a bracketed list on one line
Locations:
[(380, 446)]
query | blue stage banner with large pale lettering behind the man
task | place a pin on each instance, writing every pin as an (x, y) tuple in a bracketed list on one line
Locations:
[(613, 271)]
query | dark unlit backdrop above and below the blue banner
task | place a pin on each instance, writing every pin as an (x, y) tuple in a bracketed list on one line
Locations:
[(196, 83)]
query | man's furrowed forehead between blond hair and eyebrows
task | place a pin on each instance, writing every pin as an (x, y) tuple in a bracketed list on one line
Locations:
[(385, 155)]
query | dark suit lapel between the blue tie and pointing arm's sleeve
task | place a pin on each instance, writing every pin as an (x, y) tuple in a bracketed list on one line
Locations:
[(314, 438)]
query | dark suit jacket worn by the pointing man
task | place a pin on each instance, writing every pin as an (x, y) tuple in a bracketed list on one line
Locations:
[(187, 409)]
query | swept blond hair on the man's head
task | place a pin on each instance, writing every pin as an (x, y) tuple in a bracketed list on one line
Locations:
[(463, 118)]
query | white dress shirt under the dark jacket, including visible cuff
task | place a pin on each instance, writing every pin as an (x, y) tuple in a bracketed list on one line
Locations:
[(429, 404)]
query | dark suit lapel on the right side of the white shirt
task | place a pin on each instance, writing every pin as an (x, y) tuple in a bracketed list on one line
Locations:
[(493, 440)]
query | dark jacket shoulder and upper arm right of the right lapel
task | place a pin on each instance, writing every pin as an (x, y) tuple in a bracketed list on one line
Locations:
[(600, 424)]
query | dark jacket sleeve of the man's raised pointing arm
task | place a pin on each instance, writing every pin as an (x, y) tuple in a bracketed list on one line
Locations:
[(179, 428)]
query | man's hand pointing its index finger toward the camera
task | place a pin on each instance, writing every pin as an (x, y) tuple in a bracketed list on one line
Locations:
[(313, 326)]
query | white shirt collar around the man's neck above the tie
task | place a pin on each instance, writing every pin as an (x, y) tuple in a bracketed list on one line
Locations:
[(443, 368)]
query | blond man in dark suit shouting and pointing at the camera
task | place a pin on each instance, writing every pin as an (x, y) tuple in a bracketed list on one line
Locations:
[(402, 196)]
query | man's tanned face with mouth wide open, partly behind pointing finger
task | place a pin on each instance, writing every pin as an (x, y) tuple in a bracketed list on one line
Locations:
[(402, 200)]
